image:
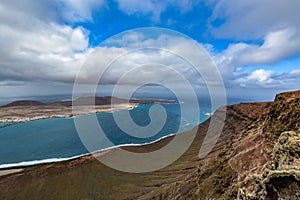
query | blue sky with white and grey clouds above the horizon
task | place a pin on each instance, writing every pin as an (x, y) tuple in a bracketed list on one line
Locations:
[(254, 43)]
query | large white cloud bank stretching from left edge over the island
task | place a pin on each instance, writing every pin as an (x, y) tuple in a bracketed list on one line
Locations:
[(54, 52)]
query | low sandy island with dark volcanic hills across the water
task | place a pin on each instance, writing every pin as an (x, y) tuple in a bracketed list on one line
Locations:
[(27, 110)]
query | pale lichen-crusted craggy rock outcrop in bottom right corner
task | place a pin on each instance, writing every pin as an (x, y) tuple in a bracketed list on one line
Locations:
[(283, 180)]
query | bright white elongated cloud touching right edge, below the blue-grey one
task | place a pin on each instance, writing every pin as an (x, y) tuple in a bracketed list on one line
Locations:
[(277, 45)]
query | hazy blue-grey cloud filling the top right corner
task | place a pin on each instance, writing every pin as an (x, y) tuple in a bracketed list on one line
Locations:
[(253, 19)]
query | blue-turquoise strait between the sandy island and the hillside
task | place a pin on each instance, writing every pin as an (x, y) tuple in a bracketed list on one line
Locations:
[(57, 139)]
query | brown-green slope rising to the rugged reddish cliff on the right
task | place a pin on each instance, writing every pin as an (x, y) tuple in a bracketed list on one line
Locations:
[(256, 157)]
